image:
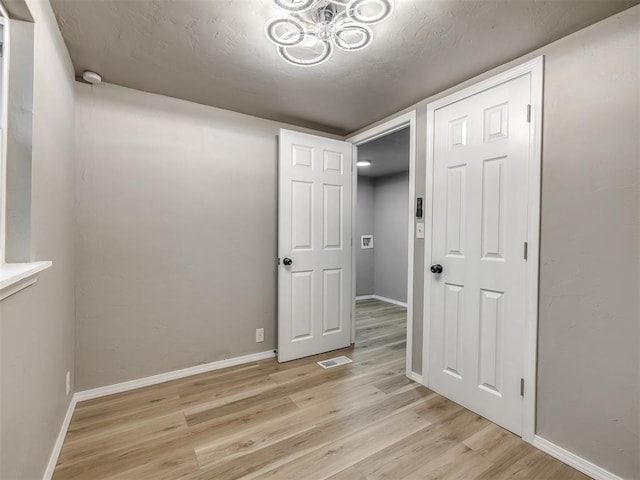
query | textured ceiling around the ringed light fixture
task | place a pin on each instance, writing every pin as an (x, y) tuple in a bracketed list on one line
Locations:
[(214, 52)]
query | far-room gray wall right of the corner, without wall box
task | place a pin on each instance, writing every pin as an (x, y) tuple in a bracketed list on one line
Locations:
[(391, 236)]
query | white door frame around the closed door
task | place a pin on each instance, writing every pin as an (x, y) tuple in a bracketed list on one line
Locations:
[(535, 68)]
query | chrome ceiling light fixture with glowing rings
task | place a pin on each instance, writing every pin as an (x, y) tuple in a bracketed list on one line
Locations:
[(312, 29)]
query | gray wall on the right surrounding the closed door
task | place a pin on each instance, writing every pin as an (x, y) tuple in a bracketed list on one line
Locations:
[(589, 377)]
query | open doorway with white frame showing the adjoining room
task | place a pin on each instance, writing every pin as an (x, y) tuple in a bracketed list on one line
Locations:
[(384, 186)]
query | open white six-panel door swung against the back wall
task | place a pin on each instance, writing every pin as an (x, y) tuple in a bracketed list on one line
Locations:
[(314, 245)]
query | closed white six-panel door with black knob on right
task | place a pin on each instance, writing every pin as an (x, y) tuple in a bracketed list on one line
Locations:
[(478, 302)]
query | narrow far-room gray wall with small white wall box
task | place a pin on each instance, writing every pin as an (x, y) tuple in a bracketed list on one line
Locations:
[(365, 207)]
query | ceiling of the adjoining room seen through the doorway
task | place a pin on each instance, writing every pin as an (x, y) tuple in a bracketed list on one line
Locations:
[(388, 154)]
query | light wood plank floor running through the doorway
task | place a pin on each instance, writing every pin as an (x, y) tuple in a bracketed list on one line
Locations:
[(365, 420)]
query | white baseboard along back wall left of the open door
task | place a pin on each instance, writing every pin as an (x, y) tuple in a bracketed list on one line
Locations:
[(168, 376)]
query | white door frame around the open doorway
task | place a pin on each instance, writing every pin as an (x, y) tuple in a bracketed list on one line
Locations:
[(385, 128)]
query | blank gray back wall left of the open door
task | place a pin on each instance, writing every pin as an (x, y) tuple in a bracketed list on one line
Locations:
[(176, 234)]
